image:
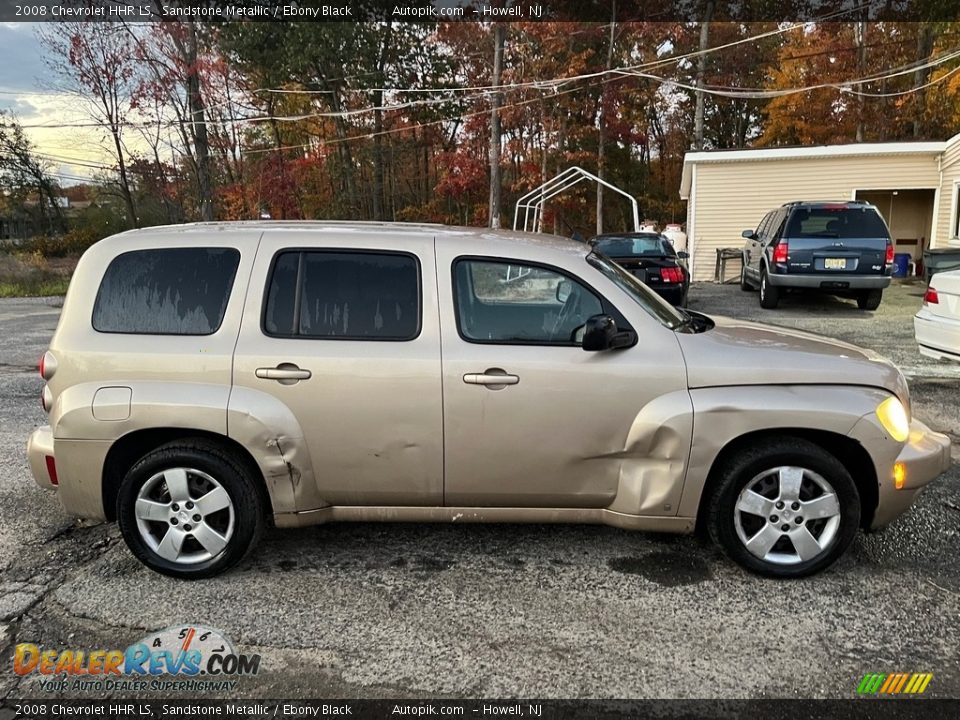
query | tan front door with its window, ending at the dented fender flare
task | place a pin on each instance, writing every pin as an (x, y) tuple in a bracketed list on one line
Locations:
[(530, 418)]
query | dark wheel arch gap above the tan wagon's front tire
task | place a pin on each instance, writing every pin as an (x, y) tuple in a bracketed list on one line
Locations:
[(850, 453)]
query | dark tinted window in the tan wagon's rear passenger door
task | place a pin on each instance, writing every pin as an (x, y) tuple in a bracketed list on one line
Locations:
[(335, 295)]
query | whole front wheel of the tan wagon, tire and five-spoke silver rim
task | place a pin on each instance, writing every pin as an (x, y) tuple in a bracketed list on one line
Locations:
[(785, 509)]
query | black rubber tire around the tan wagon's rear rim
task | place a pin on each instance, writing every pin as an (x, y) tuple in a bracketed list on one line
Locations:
[(202, 457)]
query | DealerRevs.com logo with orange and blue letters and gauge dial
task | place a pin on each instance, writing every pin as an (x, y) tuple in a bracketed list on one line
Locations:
[(187, 658)]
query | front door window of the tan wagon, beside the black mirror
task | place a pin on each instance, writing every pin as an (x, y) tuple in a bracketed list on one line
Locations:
[(502, 302)]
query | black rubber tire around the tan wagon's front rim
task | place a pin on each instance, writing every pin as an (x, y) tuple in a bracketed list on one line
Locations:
[(744, 469)]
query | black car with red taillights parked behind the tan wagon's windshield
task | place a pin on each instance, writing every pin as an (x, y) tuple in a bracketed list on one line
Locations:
[(652, 259)]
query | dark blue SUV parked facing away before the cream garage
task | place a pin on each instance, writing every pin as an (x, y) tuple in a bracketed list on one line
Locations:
[(842, 248)]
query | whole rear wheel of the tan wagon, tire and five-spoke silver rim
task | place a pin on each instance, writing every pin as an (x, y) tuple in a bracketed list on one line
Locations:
[(189, 510)]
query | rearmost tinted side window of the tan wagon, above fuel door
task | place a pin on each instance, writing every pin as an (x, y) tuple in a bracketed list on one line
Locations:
[(173, 291)]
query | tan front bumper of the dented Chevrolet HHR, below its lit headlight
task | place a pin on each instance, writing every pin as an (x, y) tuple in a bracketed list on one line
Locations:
[(925, 456)]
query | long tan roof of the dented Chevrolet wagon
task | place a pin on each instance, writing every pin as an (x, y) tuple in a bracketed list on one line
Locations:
[(466, 237)]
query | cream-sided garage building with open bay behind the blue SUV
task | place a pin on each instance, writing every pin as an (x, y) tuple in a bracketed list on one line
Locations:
[(913, 184)]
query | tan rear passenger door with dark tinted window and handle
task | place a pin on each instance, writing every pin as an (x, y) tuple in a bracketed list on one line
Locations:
[(343, 330)]
